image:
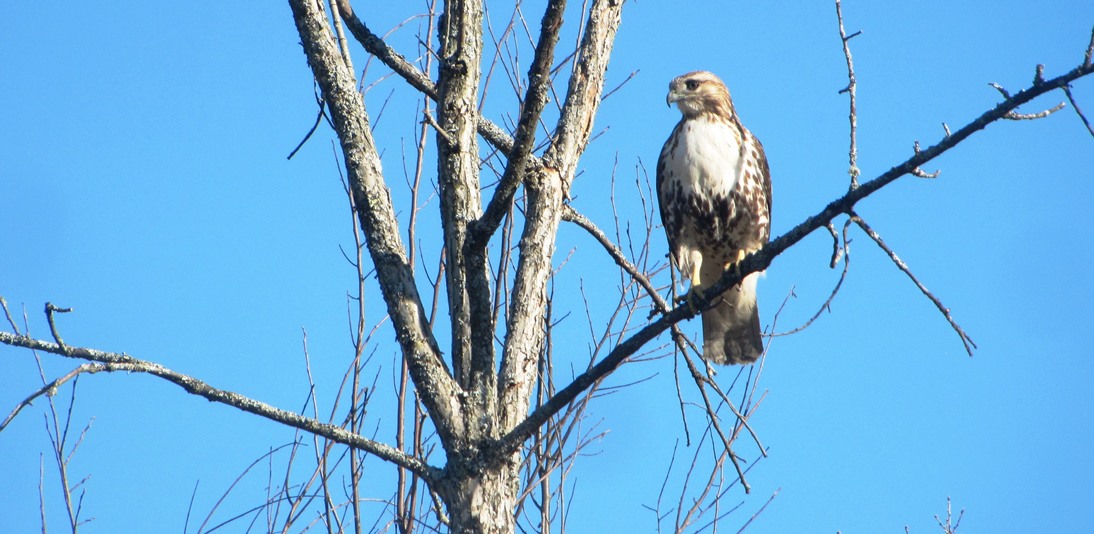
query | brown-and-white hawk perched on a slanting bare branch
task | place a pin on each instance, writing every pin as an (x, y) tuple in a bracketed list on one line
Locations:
[(715, 191)]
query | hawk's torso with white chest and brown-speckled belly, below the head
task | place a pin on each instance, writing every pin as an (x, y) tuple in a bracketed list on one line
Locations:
[(715, 190)]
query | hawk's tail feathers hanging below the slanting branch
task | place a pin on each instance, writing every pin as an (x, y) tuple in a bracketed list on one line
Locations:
[(731, 333)]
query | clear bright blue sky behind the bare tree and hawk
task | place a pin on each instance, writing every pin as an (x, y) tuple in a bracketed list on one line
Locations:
[(144, 182)]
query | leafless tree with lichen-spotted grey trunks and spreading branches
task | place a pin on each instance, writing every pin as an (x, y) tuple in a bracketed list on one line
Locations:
[(487, 426)]
